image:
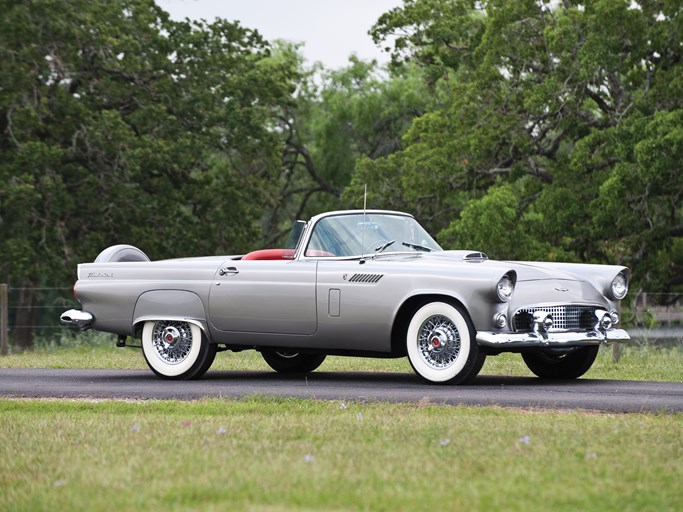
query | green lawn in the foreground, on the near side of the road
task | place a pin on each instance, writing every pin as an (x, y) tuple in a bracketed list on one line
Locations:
[(277, 455)]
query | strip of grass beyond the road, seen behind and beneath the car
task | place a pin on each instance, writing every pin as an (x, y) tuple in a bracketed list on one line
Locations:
[(647, 362)]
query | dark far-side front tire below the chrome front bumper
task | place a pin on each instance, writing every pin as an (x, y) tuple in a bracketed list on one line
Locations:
[(571, 365)]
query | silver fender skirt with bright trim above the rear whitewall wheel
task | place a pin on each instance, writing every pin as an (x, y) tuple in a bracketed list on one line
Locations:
[(179, 305)]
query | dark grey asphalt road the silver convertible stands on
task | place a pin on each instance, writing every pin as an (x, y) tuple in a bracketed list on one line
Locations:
[(599, 395)]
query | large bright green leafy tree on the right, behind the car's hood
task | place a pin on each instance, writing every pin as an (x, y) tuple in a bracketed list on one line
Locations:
[(561, 130)]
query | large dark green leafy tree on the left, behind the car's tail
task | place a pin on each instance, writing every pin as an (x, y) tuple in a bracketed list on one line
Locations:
[(121, 125)]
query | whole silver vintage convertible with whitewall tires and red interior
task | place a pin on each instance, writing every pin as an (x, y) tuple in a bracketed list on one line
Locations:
[(354, 283)]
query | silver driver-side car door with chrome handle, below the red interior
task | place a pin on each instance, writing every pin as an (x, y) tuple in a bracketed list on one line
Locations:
[(276, 297)]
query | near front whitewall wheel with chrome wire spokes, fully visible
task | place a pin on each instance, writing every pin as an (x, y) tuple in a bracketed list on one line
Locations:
[(441, 344)]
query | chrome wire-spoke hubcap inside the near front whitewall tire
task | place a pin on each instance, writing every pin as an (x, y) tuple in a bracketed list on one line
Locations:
[(439, 342)]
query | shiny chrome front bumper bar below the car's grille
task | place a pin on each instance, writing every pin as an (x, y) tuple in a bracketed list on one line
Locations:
[(550, 339)]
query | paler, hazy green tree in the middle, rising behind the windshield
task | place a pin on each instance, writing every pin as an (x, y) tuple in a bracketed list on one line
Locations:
[(339, 117)]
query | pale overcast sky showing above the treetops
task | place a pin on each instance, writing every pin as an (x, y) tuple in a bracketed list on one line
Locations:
[(331, 30)]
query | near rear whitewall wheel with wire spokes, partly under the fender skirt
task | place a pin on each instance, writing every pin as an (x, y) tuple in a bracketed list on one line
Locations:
[(176, 350)]
